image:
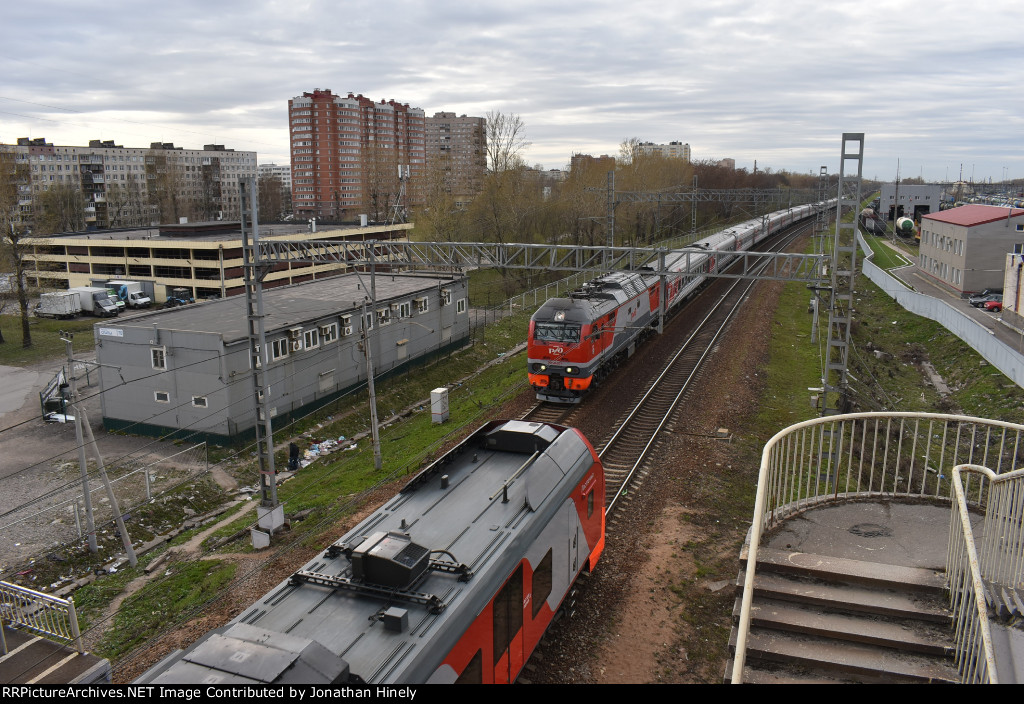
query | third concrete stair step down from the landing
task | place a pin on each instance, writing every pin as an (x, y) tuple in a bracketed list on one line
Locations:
[(929, 641)]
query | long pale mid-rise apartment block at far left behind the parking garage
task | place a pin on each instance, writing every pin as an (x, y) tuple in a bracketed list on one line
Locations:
[(137, 187)]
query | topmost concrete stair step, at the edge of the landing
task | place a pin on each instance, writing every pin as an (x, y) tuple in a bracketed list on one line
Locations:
[(845, 570)]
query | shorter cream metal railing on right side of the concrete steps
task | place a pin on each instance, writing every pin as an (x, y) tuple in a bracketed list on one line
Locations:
[(999, 559)]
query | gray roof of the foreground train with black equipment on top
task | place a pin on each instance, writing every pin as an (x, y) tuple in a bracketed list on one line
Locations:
[(392, 598)]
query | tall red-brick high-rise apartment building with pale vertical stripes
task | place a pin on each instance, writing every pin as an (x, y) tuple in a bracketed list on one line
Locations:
[(347, 154)]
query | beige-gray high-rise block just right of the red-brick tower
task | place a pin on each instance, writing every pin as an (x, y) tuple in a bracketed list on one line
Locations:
[(457, 155)]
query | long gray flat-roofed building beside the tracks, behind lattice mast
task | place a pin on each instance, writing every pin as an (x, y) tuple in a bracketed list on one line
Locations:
[(187, 371)]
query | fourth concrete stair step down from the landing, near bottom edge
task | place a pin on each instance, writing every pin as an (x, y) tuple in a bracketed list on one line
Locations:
[(833, 656)]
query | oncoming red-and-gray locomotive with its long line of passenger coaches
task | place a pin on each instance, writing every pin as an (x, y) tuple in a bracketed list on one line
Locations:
[(575, 342)]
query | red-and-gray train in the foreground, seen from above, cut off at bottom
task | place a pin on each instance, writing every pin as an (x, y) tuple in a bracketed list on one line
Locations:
[(453, 581)]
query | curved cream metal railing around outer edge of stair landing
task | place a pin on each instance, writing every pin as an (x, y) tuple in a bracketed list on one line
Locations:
[(870, 456)]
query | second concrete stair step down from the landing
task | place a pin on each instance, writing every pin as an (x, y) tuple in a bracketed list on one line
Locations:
[(850, 598)]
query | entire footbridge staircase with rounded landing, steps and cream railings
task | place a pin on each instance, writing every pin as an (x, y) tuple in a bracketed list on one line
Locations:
[(885, 548)]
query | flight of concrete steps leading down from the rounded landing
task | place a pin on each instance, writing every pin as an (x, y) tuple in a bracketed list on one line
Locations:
[(825, 620)]
